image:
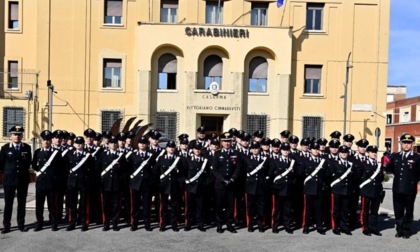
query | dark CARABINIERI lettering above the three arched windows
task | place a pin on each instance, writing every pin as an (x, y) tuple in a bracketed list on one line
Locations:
[(216, 32)]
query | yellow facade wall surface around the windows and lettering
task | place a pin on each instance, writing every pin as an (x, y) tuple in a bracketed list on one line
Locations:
[(66, 42)]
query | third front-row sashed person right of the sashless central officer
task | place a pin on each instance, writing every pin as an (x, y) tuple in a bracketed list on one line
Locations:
[(315, 172)]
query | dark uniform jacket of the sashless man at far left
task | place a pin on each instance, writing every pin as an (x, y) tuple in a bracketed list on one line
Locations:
[(15, 164)]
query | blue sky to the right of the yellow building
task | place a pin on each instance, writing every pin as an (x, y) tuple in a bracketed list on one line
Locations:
[(404, 45)]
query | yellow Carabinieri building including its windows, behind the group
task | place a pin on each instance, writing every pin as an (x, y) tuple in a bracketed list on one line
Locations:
[(180, 64)]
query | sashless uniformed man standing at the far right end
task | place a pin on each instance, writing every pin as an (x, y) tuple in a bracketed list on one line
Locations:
[(405, 166)]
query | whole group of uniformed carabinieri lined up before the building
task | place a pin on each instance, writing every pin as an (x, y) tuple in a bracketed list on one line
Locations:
[(236, 178)]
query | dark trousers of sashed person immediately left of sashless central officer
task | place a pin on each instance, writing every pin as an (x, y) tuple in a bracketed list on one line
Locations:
[(193, 204)]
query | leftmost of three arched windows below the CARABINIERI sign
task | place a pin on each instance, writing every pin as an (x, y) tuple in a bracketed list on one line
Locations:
[(167, 71)]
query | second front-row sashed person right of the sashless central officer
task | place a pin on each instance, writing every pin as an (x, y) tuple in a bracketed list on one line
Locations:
[(282, 174)]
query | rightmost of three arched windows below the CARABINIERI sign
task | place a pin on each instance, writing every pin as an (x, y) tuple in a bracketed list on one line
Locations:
[(258, 75)]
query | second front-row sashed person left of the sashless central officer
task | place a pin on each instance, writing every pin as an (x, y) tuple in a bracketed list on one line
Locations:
[(170, 169)]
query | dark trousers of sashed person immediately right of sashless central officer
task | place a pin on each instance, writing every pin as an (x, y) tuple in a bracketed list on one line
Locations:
[(255, 209)]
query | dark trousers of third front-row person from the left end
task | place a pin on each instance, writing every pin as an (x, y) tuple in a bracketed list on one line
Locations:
[(72, 200)]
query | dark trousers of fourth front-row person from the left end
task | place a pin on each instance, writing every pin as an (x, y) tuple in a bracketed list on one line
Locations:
[(111, 202)]
